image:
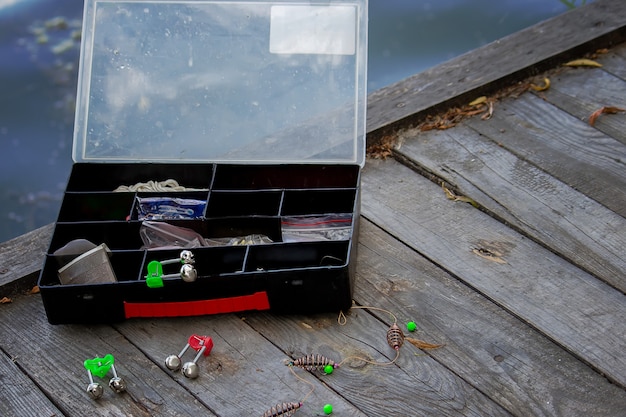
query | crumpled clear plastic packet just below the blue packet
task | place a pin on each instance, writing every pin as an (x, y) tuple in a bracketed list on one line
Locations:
[(161, 235)]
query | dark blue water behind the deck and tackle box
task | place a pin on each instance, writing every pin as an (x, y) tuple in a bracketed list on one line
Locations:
[(39, 61)]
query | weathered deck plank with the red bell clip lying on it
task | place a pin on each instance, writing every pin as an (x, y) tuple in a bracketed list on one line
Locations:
[(243, 375)]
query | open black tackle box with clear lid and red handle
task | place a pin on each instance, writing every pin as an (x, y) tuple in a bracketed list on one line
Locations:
[(234, 130)]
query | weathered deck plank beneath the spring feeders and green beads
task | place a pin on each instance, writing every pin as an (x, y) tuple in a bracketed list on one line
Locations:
[(376, 390)]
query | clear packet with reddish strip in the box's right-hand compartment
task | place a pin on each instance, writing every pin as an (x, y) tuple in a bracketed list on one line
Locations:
[(316, 228)]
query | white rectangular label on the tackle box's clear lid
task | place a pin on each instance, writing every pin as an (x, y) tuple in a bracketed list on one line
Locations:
[(300, 29)]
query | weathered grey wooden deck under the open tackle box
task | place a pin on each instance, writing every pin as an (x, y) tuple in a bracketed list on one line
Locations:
[(526, 287)]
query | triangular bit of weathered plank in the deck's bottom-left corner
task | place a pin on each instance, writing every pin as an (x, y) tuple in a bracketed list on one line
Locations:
[(20, 396)]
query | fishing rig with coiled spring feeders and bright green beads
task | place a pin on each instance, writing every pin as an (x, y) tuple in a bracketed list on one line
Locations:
[(315, 362)]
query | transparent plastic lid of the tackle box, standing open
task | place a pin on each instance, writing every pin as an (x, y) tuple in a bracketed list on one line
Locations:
[(222, 81)]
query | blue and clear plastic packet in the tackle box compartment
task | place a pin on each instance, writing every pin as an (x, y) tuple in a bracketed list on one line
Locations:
[(169, 208)]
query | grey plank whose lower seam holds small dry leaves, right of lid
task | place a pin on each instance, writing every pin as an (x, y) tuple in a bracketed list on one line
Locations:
[(524, 196)]
